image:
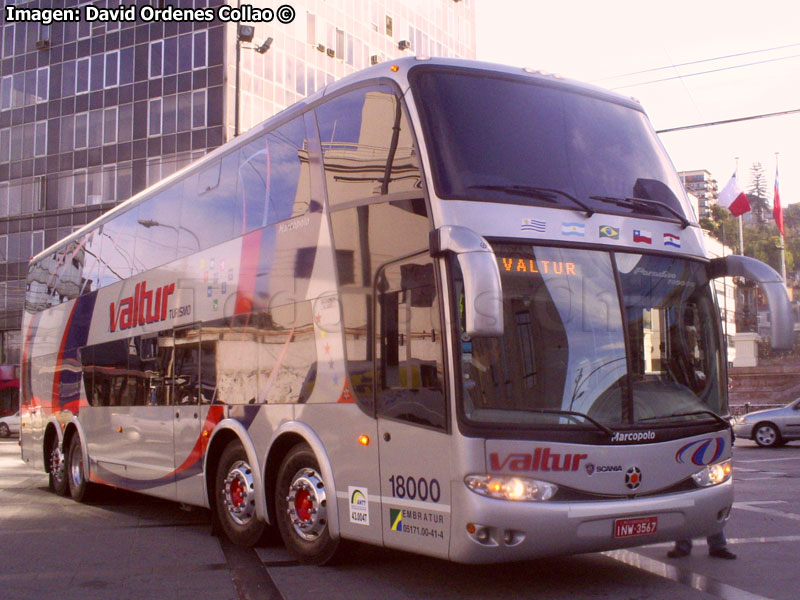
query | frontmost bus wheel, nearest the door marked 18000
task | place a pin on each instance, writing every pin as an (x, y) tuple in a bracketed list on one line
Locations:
[(301, 505)]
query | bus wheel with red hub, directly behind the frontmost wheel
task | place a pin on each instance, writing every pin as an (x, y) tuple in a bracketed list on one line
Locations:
[(236, 497)]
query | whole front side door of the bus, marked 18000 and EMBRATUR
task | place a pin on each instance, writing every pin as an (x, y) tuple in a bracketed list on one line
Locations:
[(411, 408)]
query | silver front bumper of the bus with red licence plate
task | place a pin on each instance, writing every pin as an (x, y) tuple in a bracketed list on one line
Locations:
[(486, 530)]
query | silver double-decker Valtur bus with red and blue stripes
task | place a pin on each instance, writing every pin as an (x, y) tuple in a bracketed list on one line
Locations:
[(441, 306)]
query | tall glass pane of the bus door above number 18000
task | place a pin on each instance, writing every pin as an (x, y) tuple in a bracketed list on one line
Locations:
[(409, 371)]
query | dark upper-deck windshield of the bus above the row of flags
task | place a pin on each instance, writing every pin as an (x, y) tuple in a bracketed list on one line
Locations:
[(545, 145)]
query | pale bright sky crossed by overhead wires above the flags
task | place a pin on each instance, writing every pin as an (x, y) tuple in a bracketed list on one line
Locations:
[(609, 42)]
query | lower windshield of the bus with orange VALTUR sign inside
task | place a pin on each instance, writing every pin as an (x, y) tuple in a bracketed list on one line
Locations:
[(625, 339)]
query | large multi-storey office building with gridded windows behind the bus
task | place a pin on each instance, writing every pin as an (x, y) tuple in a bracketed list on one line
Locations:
[(92, 113)]
